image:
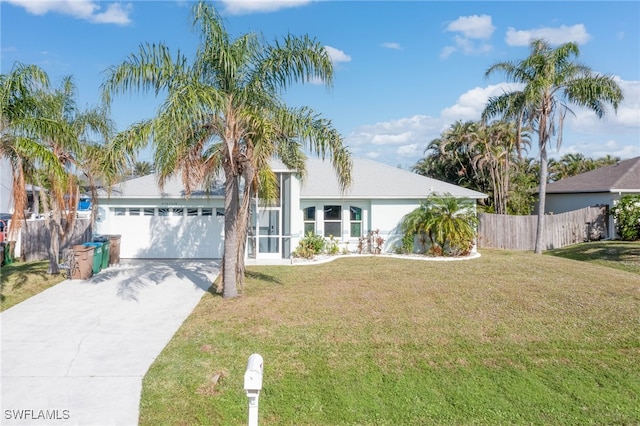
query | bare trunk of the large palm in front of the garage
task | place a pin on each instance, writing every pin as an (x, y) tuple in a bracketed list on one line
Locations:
[(229, 255)]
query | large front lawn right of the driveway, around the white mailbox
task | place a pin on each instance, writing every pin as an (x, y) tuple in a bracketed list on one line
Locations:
[(510, 338)]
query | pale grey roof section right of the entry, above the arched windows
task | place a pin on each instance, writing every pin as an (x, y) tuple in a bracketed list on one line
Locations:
[(372, 179)]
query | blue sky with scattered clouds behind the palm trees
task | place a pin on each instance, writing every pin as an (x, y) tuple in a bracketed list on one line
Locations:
[(404, 71)]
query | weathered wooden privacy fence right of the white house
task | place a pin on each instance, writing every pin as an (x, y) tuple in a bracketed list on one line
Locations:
[(560, 230)]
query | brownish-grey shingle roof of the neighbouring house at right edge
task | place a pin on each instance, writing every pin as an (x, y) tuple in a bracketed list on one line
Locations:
[(621, 177)]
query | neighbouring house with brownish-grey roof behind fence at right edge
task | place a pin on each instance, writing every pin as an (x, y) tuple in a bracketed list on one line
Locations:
[(603, 186)]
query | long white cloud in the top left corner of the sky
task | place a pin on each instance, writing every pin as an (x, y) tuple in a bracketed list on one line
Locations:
[(89, 10)]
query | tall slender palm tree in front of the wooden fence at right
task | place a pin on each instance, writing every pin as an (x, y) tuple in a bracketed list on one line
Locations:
[(551, 83)]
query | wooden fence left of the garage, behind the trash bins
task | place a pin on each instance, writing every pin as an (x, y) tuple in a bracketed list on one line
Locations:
[(35, 238)]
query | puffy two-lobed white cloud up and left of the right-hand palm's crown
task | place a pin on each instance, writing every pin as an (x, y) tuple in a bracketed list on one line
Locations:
[(471, 29)]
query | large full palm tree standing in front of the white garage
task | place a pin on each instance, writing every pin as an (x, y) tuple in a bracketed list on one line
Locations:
[(224, 112)]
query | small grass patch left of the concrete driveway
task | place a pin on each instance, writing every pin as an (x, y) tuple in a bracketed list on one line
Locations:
[(22, 280)]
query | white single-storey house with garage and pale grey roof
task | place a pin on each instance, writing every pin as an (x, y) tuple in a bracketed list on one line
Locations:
[(156, 223)]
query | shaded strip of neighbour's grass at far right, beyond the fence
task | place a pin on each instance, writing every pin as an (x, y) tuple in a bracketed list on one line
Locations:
[(623, 255)]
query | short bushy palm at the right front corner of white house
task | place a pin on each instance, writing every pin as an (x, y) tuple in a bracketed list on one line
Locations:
[(447, 222)]
